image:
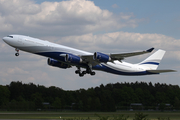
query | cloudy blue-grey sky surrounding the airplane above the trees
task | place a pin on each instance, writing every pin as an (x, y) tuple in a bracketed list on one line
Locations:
[(108, 26)]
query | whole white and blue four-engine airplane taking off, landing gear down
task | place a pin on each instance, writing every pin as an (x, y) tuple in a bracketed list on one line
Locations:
[(66, 57)]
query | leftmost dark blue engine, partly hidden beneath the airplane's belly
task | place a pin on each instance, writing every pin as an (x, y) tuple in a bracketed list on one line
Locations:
[(55, 63)]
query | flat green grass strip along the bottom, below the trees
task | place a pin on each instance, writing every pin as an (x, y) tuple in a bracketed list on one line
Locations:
[(85, 115)]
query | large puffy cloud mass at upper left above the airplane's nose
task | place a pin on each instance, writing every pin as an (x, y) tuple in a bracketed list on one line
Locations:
[(63, 18)]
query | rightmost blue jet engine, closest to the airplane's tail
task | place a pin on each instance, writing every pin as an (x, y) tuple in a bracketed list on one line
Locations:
[(101, 57)]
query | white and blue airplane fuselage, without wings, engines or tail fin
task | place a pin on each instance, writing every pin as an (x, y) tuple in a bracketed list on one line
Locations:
[(56, 51)]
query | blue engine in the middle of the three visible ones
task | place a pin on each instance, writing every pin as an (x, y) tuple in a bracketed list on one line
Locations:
[(72, 58)]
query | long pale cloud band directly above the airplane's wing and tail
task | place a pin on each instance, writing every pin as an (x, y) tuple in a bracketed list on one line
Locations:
[(119, 41)]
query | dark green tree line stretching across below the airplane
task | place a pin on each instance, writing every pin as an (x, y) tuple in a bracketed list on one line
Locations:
[(110, 97)]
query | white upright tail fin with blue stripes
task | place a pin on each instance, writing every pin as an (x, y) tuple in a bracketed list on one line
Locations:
[(153, 61)]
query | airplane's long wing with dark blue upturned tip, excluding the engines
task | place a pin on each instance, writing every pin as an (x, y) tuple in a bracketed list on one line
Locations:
[(90, 58)]
